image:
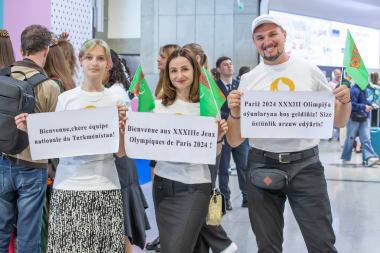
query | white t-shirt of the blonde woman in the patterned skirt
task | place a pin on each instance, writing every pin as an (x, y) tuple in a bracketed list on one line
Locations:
[(90, 172)]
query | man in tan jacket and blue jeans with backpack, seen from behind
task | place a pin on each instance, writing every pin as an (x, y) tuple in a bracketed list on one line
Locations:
[(24, 180)]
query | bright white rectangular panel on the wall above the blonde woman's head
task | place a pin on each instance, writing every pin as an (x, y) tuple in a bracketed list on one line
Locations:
[(124, 19)]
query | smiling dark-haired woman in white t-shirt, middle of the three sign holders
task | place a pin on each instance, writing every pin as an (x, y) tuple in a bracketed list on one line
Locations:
[(181, 212)]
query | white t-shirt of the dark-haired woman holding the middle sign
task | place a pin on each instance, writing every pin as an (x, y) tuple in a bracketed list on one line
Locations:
[(187, 173)]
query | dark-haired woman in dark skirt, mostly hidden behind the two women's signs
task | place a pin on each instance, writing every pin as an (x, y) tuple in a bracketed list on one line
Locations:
[(134, 202)]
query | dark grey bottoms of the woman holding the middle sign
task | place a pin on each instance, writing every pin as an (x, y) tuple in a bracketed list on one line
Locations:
[(181, 210)]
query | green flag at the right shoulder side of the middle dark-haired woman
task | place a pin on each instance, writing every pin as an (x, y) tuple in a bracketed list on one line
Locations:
[(210, 96)]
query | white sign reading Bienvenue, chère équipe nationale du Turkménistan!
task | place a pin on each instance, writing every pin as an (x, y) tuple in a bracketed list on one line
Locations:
[(74, 133)]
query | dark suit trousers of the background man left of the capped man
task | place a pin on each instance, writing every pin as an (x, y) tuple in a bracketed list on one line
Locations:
[(240, 157)]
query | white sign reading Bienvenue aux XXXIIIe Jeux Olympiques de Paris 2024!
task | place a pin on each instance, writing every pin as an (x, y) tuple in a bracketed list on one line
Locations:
[(169, 137)]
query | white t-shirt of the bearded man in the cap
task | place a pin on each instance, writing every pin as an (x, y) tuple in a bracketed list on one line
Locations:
[(305, 76)]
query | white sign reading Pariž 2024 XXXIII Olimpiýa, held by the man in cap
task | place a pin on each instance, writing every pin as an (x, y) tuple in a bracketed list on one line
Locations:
[(287, 114)]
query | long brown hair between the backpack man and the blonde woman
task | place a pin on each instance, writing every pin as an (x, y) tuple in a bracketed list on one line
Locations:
[(57, 67)]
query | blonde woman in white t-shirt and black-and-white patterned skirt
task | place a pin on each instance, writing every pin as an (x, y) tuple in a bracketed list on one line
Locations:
[(86, 206)]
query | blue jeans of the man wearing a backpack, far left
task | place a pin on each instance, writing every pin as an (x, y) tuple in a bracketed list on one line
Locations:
[(25, 189)]
